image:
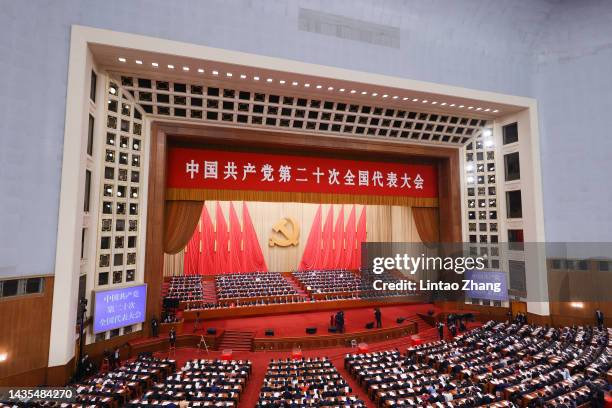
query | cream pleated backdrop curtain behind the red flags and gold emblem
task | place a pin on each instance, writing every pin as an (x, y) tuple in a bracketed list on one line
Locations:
[(383, 224)]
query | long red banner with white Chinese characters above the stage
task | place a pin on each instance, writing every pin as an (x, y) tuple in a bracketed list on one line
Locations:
[(225, 170)]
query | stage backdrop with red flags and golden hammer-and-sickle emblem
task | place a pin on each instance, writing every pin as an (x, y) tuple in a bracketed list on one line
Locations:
[(384, 223)]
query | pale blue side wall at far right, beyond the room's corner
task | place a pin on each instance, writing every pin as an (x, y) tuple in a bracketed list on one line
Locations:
[(573, 85)]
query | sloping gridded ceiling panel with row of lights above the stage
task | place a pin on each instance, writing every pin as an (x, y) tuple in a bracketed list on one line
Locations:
[(221, 93)]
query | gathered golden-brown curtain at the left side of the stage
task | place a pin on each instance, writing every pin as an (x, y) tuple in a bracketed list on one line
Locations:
[(181, 219)]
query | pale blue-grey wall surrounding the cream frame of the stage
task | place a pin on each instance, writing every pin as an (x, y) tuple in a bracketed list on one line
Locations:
[(472, 43)]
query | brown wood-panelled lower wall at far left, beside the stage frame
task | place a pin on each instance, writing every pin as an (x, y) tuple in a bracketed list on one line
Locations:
[(25, 326)]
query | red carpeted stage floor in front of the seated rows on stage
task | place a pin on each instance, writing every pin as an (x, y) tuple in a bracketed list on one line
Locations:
[(294, 325)]
